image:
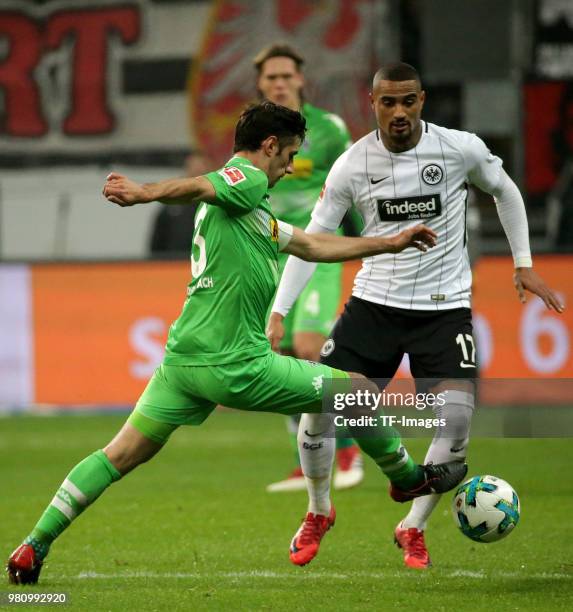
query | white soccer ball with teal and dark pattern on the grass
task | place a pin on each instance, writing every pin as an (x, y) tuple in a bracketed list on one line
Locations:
[(486, 508)]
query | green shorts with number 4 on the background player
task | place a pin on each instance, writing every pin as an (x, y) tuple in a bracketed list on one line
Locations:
[(316, 308)]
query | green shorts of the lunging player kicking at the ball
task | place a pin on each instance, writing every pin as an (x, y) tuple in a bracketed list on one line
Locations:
[(186, 395)]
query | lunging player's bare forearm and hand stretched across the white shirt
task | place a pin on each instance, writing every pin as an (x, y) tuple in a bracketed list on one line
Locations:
[(331, 248)]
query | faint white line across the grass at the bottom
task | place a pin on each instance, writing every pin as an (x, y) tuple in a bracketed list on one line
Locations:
[(480, 575)]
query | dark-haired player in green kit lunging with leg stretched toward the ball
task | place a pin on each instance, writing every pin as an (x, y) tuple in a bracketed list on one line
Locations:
[(217, 351)]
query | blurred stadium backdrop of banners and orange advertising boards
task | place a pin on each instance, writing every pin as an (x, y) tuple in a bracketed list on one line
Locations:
[(86, 296)]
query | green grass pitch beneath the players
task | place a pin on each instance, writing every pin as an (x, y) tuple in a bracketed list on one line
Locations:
[(194, 529)]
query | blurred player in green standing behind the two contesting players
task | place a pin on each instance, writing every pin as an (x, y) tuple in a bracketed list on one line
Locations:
[(308, 324)]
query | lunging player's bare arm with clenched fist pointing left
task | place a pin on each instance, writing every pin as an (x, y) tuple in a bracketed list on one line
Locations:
[(121, 190)]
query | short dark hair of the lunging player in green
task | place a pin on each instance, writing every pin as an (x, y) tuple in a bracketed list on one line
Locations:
[(259, 121)]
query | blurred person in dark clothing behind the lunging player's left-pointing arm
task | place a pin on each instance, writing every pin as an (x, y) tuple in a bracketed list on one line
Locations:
[(174, 224)]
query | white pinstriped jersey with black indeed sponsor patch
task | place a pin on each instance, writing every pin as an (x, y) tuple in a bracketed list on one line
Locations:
[(393, 191)]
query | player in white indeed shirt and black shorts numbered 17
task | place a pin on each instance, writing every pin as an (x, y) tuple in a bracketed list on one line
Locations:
[(405, 172)]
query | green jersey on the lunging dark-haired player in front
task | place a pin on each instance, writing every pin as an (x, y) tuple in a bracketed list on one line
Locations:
[(234, 269)]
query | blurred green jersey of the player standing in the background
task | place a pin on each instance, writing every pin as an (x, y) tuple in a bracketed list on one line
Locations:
[(327, 137)]
